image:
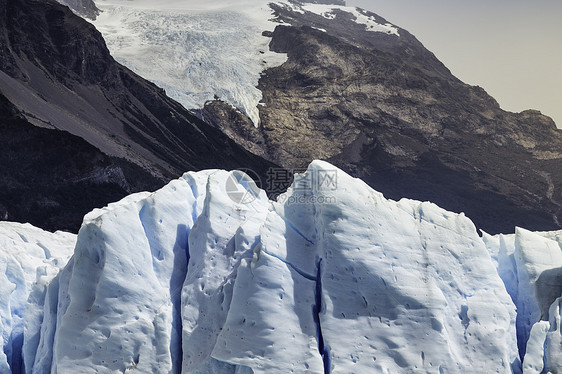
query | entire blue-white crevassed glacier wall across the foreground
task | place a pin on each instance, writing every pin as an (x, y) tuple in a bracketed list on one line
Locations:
[(329, 278)]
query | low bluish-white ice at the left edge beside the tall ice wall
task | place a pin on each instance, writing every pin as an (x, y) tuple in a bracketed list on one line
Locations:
[(29, 259)]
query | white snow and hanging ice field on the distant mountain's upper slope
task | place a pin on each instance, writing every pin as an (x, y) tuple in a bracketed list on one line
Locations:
[(199, 50)]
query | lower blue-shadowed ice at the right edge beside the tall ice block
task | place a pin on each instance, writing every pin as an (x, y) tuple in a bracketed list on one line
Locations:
[(530, 264)]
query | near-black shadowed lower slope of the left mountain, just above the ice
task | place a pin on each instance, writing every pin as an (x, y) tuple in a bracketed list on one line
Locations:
[(49, 176)]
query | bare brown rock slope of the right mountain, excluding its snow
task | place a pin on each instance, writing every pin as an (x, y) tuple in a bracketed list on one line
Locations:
[(383, 108)]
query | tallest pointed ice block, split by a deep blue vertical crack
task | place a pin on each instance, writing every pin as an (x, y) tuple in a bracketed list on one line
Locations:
[(412, 283)]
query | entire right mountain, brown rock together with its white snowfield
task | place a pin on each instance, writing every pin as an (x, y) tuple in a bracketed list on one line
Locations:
[(293, 81)]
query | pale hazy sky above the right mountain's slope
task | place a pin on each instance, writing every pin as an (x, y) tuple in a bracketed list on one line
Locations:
[(511, 48)]
